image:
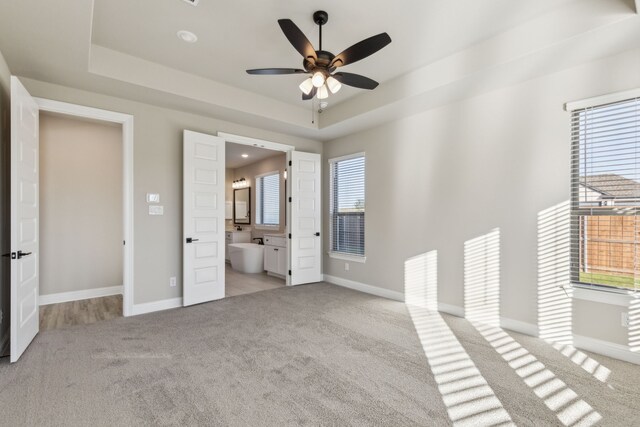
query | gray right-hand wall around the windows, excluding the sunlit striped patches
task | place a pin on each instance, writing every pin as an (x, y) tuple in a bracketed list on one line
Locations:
[(440, 178)]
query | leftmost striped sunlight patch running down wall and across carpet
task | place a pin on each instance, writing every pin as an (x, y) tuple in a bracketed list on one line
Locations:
[(466, 394)]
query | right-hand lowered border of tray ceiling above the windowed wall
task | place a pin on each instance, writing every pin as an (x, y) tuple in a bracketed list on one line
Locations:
[(509, 58)]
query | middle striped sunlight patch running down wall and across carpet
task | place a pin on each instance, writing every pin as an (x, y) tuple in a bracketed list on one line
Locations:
[(482, 309)]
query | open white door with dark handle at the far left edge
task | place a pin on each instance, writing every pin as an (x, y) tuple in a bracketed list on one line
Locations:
[(24, 219)]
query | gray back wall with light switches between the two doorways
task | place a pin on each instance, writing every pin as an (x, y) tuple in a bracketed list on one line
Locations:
[(158, 169)]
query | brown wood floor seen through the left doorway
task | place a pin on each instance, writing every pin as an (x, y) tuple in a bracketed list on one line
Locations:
[(83, 312)]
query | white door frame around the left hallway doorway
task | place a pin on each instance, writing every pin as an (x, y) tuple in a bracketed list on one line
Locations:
[(126, 120)]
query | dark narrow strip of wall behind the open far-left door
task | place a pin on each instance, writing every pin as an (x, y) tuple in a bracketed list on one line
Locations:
[(5, 242)]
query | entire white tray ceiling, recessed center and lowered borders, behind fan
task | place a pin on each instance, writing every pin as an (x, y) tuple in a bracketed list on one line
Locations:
[(441, 51)]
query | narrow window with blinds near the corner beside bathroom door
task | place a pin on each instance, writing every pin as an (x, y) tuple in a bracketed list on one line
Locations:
[(347, 205)]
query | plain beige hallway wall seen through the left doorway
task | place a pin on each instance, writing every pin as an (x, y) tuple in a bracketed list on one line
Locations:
[(80, 205)]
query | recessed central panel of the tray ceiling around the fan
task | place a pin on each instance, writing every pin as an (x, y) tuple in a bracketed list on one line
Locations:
[(242, 34)]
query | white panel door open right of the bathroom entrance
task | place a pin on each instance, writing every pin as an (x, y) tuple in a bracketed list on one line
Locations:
[(306, 218)]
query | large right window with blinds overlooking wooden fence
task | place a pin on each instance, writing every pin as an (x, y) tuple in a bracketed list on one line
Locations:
[(605, 195)]
